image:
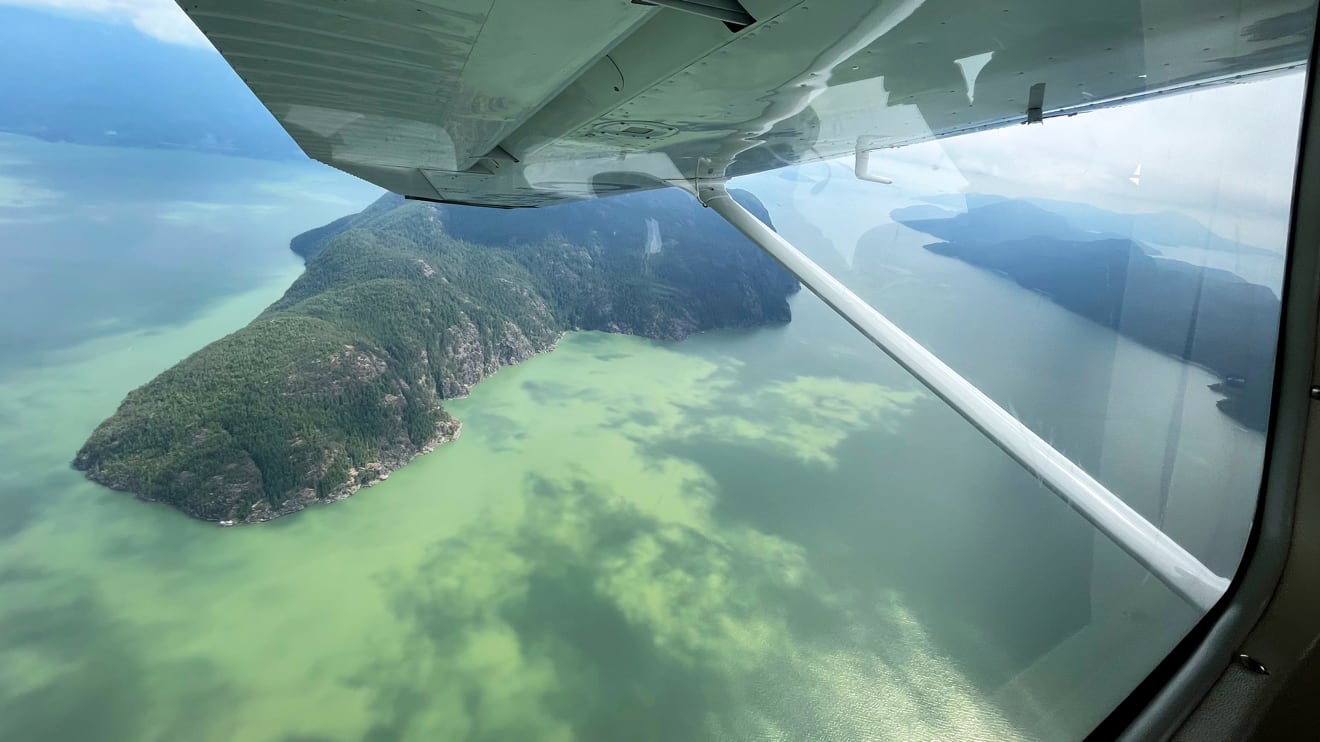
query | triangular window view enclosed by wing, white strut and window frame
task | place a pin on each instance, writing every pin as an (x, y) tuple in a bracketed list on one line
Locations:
[(1113, 279)]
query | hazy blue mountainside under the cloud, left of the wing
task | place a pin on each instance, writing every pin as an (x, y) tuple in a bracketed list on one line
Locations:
[(88, 83)]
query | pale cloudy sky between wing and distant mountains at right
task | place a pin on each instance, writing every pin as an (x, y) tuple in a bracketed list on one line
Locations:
[(1222, 156)]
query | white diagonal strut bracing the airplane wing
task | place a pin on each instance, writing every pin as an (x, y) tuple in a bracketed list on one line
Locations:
[(1182, 572)]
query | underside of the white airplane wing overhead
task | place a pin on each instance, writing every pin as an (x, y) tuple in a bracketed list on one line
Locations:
[(519, 104)]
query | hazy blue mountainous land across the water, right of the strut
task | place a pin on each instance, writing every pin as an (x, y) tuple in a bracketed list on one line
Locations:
[(1204, 316)]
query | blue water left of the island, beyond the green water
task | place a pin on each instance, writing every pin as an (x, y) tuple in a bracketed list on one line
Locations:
[(100, 241)]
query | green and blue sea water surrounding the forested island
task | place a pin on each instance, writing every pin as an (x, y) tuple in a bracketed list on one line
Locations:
[(765, 534)]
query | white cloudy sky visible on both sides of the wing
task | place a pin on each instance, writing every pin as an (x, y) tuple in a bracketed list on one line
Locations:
[(1223, 156)]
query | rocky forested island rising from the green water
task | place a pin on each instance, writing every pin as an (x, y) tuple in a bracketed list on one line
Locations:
[(402, 307)]
